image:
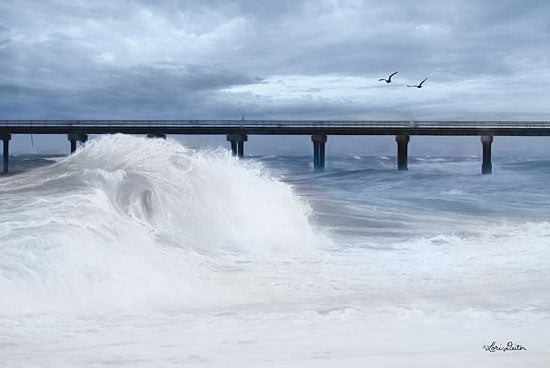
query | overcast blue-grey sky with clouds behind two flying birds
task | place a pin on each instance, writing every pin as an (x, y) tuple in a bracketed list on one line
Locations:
[(170, 59)]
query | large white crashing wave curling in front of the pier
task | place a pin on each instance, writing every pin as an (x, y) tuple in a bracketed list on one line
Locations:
[(129, 222)]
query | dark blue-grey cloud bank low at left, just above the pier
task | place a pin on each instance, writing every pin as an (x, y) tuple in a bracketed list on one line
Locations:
[(161, 90)]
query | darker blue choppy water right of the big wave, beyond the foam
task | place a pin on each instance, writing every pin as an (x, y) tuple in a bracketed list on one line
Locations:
[(368, 196)]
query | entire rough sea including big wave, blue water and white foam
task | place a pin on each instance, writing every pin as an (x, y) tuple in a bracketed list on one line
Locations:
[(141, 253)]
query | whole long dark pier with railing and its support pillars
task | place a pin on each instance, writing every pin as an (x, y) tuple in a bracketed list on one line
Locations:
[(238, 131)]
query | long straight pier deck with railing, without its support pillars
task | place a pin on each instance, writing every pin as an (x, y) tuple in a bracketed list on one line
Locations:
[(278, 127)]
